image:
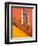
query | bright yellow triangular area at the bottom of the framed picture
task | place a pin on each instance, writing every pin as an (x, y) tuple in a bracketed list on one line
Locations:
[(17, 33)]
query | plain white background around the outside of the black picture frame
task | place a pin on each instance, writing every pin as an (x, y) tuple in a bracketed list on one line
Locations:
[(2, 23)]
